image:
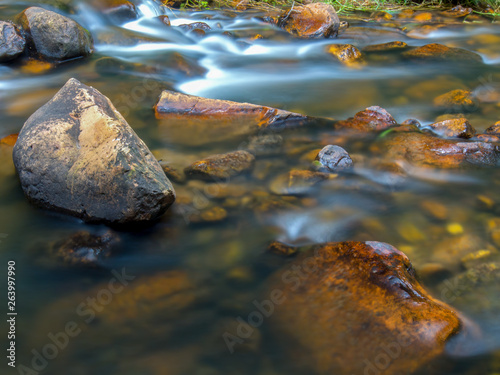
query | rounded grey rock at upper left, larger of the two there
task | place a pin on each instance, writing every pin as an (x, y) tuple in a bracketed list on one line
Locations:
[(53, 36)]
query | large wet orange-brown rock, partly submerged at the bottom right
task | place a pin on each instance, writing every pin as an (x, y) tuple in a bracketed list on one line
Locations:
[(349, 307)]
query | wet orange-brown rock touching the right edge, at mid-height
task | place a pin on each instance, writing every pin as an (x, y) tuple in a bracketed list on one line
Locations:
[(425, 150)]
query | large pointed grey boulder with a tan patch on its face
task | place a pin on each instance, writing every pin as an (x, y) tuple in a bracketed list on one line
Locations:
[(78, 155)]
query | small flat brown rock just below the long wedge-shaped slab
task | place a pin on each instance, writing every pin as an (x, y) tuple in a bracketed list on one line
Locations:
[(221, 166)]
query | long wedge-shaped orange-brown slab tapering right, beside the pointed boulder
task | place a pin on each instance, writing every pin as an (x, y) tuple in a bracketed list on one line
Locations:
[(194, 120)]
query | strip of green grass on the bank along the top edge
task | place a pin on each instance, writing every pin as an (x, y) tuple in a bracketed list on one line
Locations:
[(479, 6)]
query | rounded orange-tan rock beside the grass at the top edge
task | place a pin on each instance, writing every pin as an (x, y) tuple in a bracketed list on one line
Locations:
[(311, 21)]
